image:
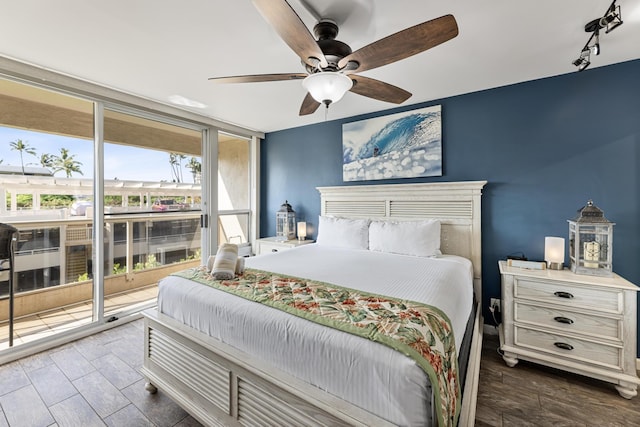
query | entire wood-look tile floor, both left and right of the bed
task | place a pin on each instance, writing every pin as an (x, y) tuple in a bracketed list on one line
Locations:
[(96, 382)]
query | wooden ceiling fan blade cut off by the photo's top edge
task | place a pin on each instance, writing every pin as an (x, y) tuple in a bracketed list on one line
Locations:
[(291, 29)]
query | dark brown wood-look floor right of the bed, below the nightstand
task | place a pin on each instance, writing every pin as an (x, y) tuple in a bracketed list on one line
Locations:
[(533, 395)]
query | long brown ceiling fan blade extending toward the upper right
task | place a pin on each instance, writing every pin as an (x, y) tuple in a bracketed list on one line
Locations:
[(403, 44)]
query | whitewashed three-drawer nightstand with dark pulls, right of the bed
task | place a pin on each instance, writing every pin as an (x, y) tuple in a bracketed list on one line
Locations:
[(578, 323)]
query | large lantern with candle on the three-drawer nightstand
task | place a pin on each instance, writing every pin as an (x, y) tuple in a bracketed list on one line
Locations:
[(591, 242)]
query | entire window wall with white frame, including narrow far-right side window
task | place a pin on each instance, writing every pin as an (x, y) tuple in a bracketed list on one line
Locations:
[(163, 186)]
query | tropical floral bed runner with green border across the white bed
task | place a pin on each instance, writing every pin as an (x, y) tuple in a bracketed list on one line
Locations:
[(418, 330)]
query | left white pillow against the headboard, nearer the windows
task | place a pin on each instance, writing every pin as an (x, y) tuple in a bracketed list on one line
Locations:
[(343, 232)]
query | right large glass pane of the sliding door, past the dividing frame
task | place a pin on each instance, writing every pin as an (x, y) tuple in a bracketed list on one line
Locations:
[(152, 205)]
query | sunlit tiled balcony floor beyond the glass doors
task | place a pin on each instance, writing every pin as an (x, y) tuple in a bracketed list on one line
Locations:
[(33, 327)]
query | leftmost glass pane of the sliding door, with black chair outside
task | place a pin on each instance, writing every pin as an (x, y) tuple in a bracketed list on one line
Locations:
[(46, 167)]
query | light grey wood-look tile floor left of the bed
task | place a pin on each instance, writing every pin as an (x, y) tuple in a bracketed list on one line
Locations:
[(94, 381)]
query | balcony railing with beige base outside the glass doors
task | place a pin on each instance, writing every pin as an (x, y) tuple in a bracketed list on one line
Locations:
[(142, 261)]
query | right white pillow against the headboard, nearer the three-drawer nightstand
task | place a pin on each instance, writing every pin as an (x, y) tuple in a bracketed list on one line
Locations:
[(417, 238)]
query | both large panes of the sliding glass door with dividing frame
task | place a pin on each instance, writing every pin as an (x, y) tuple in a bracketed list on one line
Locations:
[(106, 202)]
